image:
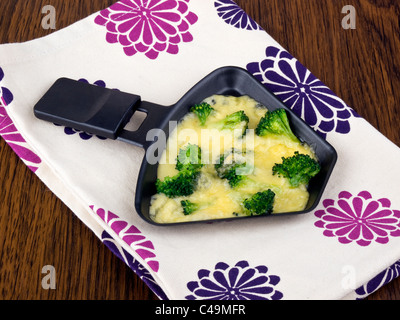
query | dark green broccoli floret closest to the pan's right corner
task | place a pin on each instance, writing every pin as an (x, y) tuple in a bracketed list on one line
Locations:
[(298, 169)]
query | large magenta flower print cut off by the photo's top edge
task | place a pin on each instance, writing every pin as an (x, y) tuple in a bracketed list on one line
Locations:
[(148, 26)]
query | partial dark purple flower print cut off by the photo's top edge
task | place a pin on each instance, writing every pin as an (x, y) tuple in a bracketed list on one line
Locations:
[(232, 14)]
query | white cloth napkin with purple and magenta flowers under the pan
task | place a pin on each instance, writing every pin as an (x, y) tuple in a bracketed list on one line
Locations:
[(346, 249)]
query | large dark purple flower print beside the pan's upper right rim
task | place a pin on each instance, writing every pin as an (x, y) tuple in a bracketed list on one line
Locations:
[(301, 91)]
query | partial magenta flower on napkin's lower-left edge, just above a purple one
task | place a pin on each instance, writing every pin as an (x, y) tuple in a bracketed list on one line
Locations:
[(131, 236)]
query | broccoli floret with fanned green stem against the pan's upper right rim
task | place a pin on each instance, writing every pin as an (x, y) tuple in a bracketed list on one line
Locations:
[(275, 123)]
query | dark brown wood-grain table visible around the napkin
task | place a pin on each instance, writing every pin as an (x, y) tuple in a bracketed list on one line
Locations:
[(360, 65)]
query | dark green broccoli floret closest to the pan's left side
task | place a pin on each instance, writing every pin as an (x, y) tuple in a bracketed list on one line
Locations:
[(182, 184)]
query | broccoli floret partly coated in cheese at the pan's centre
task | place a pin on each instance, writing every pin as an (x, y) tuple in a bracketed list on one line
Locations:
[(233, 167)]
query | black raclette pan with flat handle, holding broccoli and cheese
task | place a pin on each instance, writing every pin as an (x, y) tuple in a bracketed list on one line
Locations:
[(106, 112)]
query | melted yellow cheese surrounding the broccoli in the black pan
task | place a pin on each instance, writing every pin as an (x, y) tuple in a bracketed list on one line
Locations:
[(216, 198)]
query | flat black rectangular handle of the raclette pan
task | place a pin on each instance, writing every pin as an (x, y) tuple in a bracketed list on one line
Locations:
[(96, 110)]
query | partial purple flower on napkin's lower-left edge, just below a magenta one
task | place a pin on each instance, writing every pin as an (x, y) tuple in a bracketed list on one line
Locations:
[(141, 271)]
